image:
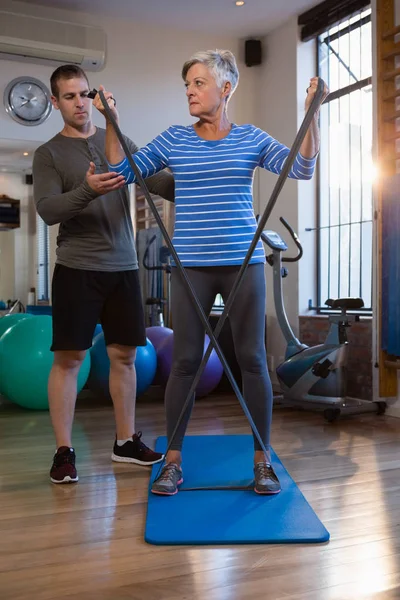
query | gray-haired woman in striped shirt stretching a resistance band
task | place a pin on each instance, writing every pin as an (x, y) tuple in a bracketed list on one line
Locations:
[(213, 163)]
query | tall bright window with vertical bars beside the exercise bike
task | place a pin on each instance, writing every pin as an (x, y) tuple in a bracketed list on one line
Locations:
[(346, 170)]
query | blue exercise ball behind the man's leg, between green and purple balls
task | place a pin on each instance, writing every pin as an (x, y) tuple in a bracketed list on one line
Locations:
[(145, 364)]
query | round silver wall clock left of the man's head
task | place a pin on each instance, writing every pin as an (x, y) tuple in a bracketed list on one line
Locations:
[(27, 101)]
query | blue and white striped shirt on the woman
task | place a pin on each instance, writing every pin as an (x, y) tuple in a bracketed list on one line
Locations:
[(215, 220)]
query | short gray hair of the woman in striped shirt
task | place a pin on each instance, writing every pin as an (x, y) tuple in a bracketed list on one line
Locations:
[(221, 63)]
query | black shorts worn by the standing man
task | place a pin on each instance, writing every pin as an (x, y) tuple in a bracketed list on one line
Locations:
[(81, 299)]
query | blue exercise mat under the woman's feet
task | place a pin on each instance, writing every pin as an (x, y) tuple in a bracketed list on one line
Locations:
[(228, 517)]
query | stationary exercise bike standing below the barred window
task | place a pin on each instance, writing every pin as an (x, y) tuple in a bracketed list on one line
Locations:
[(314, 377)]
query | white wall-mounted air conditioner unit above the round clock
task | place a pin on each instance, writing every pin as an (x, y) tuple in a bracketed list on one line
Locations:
[(46, 41)]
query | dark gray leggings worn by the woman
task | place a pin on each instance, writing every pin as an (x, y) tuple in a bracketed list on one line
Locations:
[(247, 321)]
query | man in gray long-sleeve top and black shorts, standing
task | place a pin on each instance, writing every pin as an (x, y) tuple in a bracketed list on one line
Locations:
[(95, 276)]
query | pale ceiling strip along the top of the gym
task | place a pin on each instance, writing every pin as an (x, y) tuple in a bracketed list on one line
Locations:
[(255, 18)]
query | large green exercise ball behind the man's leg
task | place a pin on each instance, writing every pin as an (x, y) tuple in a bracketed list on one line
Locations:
[(26, 361)]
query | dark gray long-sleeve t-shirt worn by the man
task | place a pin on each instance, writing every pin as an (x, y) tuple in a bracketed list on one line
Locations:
[(95, 231)]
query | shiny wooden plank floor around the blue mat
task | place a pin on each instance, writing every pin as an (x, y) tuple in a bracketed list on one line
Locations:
[(85, 541)]
